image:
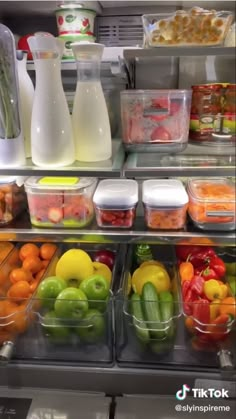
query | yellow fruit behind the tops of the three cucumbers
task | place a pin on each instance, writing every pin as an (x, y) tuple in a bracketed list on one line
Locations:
[(157, 275)]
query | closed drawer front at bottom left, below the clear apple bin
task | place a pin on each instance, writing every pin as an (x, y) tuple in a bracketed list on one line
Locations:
[(28, 403)]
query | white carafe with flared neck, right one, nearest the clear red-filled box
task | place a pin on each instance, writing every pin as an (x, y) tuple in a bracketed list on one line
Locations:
[(90, 117)]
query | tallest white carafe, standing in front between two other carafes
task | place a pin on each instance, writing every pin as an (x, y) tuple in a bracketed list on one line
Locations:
[(51, 128)]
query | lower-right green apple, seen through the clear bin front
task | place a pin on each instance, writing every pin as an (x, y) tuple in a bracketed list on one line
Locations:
[(92, 327)]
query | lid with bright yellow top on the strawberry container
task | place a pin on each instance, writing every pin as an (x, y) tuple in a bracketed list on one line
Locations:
[(59, 182)]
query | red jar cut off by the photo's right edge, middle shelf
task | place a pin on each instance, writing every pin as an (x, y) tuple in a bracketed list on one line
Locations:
[(229, 123)]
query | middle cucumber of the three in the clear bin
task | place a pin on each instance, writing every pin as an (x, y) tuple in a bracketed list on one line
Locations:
[(152, 310)]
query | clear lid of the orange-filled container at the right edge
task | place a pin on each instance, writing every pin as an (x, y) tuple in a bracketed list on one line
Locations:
[(212, 190)]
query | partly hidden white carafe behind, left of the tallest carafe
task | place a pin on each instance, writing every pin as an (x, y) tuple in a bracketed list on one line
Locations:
[(26, 93)]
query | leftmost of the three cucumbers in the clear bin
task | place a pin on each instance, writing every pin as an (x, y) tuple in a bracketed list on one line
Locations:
[(141, 330)]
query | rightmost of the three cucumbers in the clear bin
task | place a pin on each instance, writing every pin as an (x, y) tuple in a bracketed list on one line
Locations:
[(167, 311)]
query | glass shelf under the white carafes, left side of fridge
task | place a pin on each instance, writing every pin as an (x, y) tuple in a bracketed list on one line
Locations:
[(108, 168)]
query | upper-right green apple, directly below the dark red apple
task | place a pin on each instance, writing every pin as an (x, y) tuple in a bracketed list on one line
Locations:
[(95, 287)]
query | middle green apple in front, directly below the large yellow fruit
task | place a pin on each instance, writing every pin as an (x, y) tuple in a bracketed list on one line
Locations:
[(71, 303)]
